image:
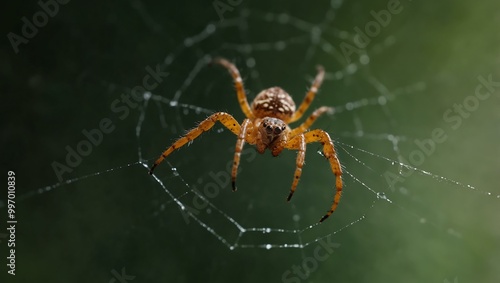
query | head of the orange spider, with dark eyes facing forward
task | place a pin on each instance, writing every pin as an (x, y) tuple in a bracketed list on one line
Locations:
[(272, 132)]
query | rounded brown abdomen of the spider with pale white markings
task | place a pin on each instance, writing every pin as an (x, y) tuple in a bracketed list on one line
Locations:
[(273, 102)]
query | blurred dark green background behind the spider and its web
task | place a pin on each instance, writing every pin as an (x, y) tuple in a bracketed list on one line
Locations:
[(113, 216)]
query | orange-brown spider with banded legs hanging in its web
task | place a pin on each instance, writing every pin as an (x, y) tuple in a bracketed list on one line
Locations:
[(266, 127)]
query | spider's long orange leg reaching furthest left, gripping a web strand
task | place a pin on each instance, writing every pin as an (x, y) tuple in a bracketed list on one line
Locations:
[(226, 119)]
